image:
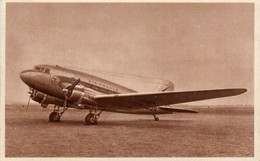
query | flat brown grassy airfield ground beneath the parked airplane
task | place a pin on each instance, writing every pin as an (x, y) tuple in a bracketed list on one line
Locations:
[(214, 132)]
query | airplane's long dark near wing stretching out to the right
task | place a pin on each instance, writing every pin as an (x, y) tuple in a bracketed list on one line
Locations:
[(145, 100)]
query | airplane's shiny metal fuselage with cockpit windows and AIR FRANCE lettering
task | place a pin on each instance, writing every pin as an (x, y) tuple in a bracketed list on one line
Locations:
[(42, 78)]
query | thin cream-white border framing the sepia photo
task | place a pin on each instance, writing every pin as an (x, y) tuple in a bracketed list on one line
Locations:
[(256, 83)]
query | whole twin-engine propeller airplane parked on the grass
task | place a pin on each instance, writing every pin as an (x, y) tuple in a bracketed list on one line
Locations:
[(68, 88)]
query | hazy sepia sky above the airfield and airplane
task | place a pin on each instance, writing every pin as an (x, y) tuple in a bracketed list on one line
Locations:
[(197, 46)]
